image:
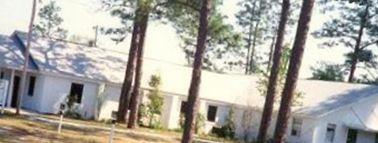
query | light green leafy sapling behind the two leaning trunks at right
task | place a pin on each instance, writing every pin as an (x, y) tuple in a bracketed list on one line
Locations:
[(264, 80)]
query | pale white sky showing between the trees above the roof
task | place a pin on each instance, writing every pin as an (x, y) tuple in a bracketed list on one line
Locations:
[(161, 42)]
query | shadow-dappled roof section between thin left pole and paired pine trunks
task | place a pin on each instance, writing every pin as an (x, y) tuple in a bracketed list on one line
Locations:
[(76, 60)]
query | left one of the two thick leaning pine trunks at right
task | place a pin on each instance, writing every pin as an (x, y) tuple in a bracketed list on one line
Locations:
[(271, 91)]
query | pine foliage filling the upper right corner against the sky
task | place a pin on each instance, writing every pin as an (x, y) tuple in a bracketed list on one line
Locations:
[(344, 29)]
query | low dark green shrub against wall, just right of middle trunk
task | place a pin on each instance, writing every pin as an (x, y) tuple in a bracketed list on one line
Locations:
[(228, 129)]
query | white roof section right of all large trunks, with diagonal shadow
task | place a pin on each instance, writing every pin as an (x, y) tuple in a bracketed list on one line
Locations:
[(322, 97)]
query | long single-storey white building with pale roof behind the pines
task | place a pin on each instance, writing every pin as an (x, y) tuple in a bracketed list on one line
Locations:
[(330, 112)]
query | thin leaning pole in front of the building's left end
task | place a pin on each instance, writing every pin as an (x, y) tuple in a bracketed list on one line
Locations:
[(26, 56)]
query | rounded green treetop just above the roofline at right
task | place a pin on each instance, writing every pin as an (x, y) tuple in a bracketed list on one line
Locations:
[(328, 72)]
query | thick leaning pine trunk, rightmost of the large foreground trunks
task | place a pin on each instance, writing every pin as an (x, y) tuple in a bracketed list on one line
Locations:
[(293, 71)]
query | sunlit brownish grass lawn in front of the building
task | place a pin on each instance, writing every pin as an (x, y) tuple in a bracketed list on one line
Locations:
[(19, 129)]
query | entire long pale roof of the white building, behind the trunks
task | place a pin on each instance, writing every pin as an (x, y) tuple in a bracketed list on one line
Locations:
[(320, 97)]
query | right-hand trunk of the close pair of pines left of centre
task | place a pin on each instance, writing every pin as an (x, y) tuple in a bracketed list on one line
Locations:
[(134, 101)]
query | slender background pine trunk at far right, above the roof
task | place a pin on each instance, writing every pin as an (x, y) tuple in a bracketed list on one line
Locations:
[(357, 46)]
